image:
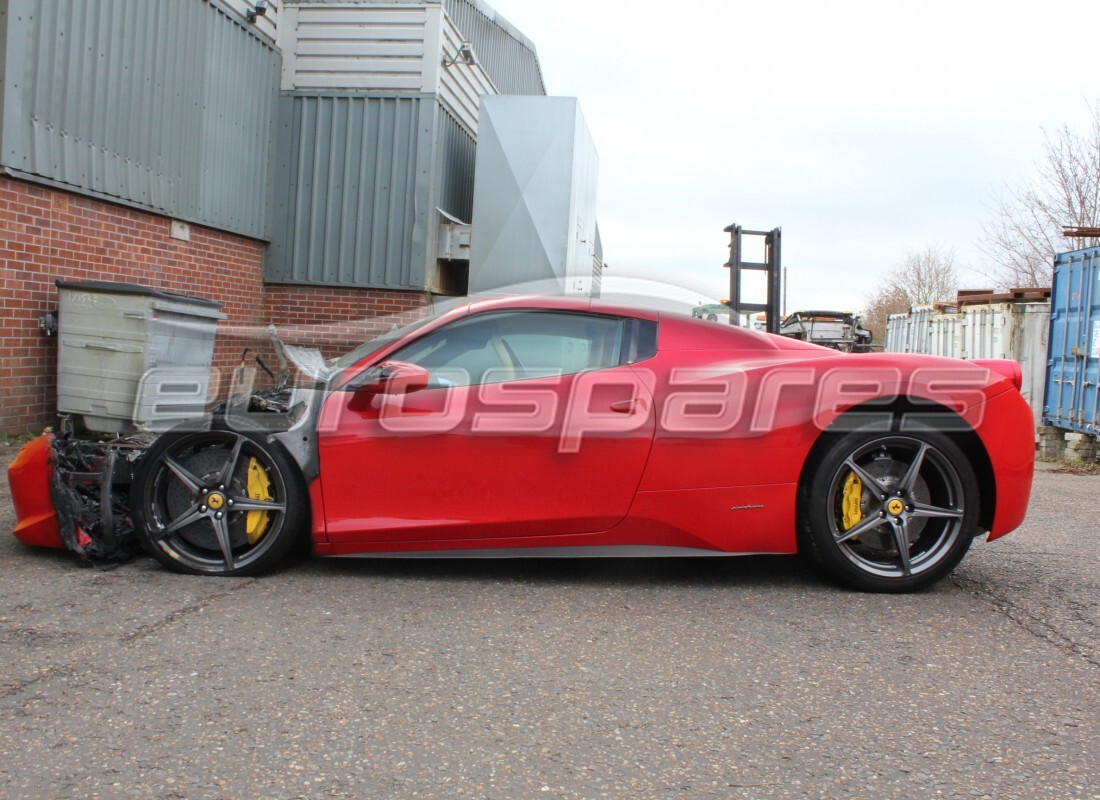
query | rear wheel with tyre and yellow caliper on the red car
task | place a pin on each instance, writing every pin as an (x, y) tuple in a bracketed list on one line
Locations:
[(861, 498)]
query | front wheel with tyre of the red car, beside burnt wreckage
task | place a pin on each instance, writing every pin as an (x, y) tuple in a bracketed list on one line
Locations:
[(193, 496)]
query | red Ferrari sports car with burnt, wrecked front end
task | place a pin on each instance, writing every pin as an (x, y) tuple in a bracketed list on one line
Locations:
[(563, 428)]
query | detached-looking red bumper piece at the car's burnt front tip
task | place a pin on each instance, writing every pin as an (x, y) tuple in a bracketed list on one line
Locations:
[(31, 478)]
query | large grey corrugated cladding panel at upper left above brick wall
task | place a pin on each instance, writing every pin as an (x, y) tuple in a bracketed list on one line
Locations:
[(163, 104)]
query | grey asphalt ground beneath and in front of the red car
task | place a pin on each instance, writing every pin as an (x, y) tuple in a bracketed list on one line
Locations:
[(651, 678)]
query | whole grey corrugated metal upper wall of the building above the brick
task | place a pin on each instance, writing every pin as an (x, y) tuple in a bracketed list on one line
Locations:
[(172, 106)]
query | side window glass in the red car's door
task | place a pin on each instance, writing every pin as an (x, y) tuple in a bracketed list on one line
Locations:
[(515, 346)]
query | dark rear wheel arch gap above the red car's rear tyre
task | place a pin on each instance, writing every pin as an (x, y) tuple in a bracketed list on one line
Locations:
[(922, 412)]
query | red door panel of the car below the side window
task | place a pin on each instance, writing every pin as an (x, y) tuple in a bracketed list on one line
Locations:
[(538, 457)]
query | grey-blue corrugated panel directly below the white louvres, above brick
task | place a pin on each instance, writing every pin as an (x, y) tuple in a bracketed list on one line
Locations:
[(353, 206)]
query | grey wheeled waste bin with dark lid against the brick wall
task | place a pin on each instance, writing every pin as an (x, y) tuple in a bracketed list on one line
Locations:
[(131, 357)]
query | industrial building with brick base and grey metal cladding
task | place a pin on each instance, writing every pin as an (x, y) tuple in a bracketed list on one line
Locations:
[(304, 162)]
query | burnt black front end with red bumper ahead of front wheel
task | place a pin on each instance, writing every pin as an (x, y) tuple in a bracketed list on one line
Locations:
[(75, 494)]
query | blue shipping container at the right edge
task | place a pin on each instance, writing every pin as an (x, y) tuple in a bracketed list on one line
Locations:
[(1072, 397)]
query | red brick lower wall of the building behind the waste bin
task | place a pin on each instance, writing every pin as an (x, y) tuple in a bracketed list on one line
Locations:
[(48, 235)]
